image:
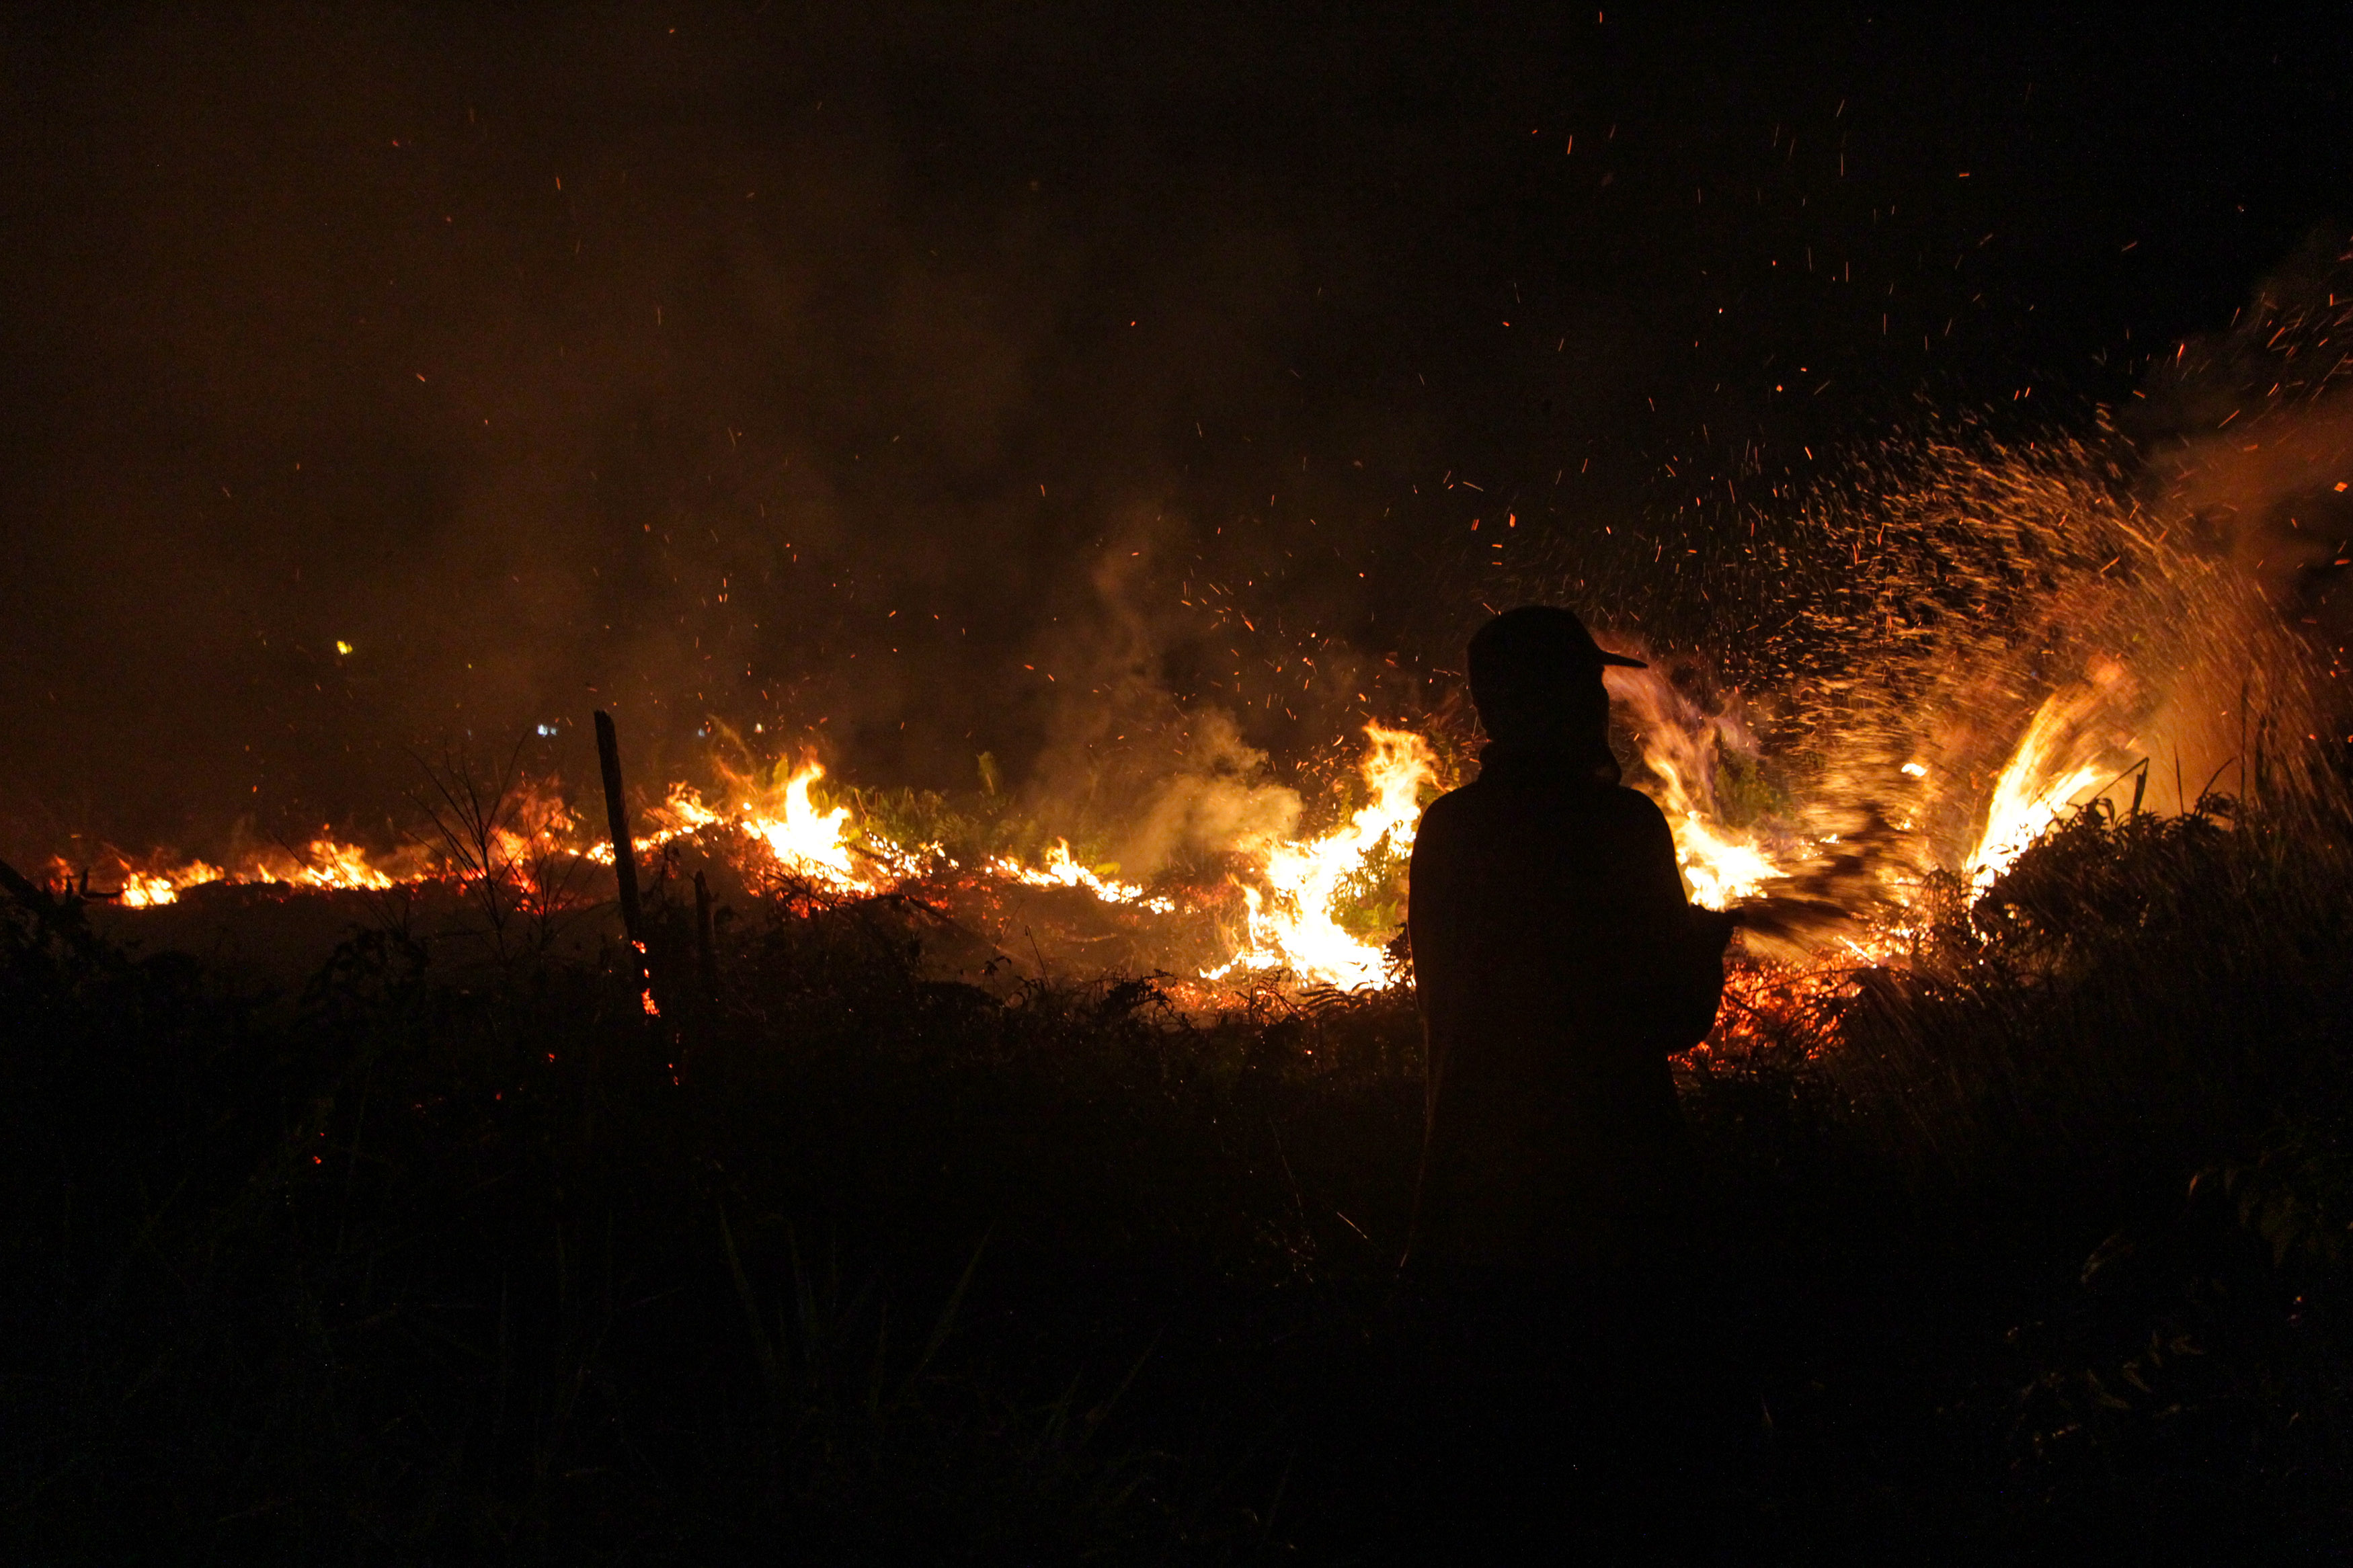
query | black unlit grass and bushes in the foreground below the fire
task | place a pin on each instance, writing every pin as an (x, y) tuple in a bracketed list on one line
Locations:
[(2032, 1252)]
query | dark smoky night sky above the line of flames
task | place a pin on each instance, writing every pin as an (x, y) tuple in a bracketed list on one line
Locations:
[(655, 356)]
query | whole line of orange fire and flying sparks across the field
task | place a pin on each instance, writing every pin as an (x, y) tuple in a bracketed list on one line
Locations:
[(2004, 638)]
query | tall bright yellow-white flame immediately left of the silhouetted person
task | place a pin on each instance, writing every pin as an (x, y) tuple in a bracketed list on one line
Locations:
[(1295, 920)]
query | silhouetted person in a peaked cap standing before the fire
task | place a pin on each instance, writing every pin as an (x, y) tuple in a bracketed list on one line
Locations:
[(1559, 965)]
